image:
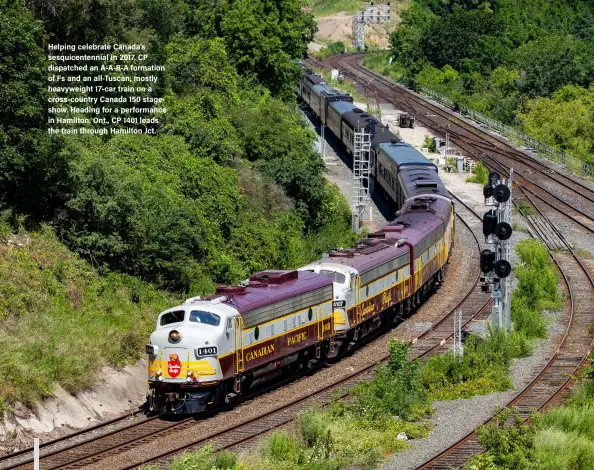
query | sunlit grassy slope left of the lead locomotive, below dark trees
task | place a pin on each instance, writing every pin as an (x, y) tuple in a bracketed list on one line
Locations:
[(61, 321)]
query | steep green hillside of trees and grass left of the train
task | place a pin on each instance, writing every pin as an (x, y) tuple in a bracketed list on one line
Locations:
[(100, 233)]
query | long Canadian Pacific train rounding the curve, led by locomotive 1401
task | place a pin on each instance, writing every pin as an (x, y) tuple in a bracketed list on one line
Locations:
[(210, 350)]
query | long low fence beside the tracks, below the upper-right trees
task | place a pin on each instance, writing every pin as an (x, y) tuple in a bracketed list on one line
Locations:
[(574, 164)]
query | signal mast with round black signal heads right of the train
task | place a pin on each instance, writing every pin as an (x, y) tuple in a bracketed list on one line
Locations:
[(495, 264)]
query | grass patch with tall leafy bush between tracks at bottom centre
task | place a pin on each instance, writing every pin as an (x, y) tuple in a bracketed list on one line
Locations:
[(359, 433)]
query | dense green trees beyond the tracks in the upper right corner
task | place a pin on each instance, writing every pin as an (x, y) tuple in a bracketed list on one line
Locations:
[(512, 60)]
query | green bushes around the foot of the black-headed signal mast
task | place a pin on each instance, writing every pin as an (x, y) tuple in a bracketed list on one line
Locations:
[(484, 366)]
